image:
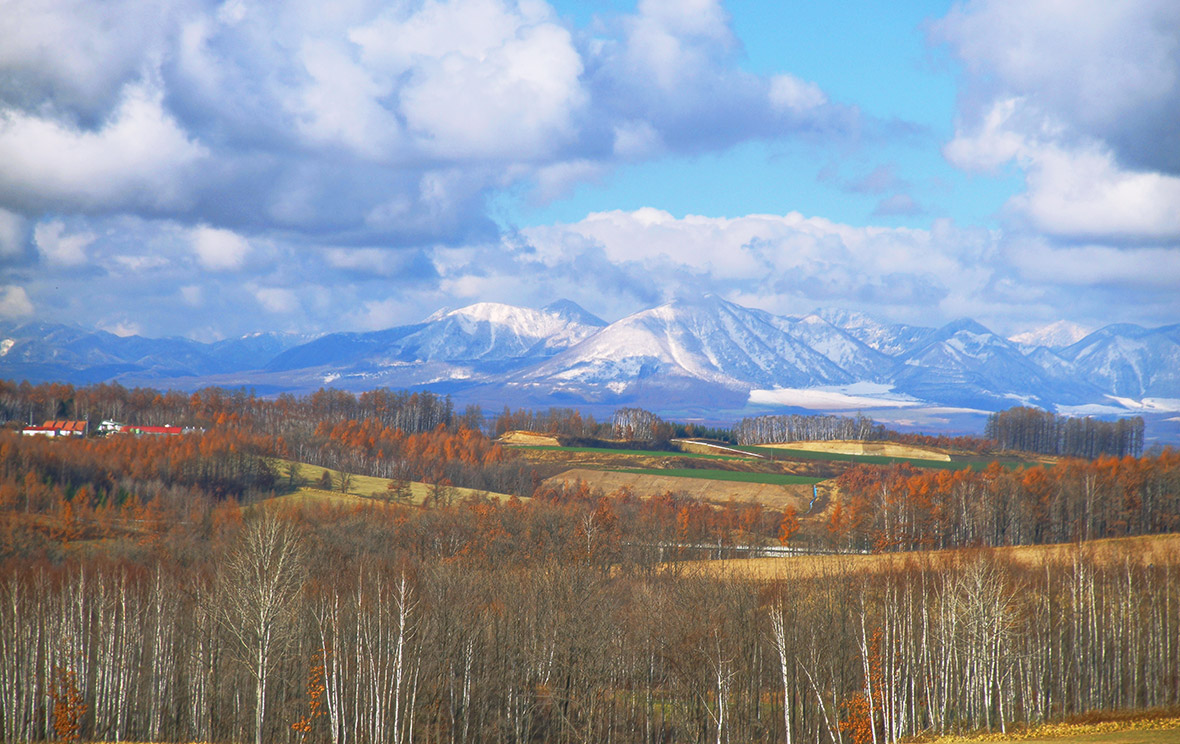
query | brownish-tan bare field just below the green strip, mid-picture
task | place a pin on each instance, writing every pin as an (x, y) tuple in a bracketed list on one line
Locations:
[(647, 486)]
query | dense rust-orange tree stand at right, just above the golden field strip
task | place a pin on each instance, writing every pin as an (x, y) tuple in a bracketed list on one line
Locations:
[(901, 508)]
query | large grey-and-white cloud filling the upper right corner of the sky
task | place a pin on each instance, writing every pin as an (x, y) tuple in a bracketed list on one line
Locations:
[(1085, 98)]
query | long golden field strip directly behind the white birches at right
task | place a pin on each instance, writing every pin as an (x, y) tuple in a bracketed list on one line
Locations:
[(1139, 550)]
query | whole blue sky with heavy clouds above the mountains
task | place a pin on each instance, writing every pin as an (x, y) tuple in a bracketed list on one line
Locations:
[(209, 170)]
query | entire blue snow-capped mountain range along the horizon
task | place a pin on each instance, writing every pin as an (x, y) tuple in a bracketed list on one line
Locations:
[(704, 352)]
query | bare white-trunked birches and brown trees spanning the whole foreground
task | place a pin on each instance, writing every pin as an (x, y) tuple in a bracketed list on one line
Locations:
[(277, 642)]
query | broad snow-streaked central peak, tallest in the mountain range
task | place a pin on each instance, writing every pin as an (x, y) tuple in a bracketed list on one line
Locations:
[(707, 340)]
